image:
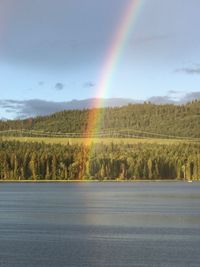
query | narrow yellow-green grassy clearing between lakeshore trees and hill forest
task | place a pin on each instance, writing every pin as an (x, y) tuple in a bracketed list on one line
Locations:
[(88, 141)]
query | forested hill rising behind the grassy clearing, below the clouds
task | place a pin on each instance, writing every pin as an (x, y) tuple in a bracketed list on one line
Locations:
[(172, 120)]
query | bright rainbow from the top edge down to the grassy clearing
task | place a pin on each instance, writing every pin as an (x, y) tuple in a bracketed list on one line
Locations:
[(119, 42)]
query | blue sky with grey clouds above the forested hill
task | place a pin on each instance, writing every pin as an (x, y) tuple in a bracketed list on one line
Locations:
[(55, 51)]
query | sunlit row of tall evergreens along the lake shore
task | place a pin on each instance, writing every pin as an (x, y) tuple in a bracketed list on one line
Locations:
[(39, 161)]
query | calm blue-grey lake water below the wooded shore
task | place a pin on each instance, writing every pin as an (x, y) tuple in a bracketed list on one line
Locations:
[(100, 224)]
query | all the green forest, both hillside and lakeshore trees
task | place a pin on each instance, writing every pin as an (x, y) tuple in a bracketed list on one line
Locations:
[(107, 161)]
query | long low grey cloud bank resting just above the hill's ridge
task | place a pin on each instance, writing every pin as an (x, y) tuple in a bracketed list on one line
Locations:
[(37, 107)]
